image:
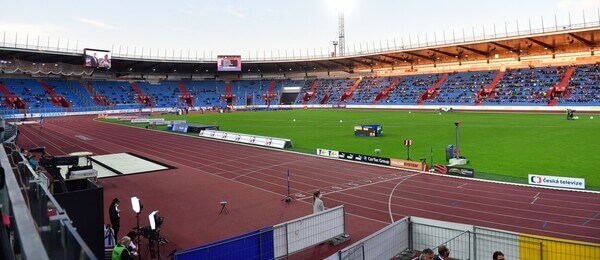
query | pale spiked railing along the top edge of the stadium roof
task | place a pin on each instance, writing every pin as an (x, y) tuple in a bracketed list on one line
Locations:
[(306, 54)]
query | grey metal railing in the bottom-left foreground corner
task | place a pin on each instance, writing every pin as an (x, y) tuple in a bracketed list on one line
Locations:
[(36, 234)]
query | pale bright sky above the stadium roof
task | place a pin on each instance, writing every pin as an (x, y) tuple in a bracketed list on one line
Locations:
[(269, 28)]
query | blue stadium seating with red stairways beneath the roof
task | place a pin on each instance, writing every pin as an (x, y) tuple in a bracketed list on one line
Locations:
[(516, 87)]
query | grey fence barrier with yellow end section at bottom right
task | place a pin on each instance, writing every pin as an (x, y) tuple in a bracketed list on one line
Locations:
[(464, 242)]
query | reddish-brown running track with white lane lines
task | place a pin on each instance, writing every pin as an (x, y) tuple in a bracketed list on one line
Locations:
[(253, 181)]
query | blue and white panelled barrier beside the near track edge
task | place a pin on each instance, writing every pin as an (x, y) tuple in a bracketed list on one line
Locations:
[(274, 242)]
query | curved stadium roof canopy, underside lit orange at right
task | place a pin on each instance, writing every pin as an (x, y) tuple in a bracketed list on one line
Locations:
[(557, 41)]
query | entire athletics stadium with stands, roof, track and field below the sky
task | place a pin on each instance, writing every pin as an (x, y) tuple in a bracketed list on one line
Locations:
[(475, 143)]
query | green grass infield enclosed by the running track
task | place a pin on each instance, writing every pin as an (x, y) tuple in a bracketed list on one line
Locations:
[(499, 146)]
